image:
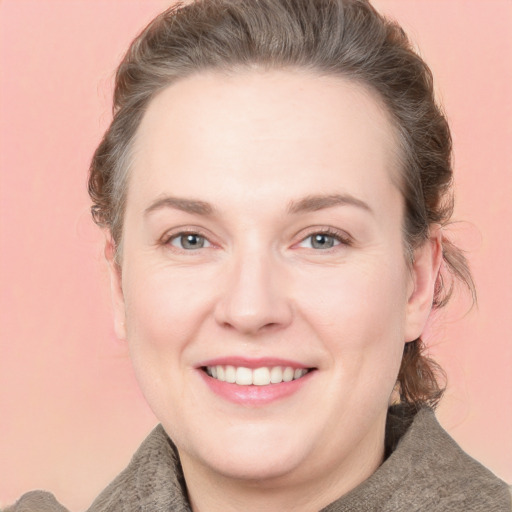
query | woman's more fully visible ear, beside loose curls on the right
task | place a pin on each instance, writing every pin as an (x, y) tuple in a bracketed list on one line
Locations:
[(424, 274)]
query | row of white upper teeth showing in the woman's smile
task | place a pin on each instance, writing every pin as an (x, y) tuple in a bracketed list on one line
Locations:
[(257, 377)]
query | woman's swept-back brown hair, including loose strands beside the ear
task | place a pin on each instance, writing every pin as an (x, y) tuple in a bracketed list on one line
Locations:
[(339, 38)]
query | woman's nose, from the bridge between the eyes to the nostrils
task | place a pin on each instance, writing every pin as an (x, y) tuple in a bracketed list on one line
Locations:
[(254, 298)]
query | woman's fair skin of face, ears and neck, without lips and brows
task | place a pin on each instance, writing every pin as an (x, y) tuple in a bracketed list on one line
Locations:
[(249, 145)]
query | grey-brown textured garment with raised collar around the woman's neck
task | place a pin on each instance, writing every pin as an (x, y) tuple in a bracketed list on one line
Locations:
[(424, 470)]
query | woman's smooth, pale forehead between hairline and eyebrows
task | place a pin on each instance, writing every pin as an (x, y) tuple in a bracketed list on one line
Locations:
[(283, 132)]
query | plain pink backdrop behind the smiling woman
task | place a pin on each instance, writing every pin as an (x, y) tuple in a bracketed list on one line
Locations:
[(70, 411)]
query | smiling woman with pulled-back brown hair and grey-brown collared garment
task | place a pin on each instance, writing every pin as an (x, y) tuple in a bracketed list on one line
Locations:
[(274, 187)]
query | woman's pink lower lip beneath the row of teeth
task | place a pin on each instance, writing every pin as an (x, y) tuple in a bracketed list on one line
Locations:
[(255, 395)]
